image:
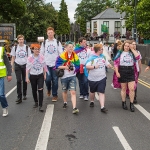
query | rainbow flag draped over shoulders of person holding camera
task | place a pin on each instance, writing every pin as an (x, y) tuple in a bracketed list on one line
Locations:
[(63, 60)]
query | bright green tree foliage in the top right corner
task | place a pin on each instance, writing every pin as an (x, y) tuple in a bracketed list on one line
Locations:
[(142, 15)]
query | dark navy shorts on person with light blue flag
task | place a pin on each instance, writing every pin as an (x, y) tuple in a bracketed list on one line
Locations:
[(97, 86)]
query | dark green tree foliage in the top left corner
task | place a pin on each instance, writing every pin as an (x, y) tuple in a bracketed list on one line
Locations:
[(12, 8)]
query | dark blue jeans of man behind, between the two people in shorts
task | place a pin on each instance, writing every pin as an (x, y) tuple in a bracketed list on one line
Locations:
[(83, 84)]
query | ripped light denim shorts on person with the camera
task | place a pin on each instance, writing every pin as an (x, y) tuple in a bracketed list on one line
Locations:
[(69, 83)]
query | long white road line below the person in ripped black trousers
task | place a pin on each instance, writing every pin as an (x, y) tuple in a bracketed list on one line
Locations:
[(45, 129)]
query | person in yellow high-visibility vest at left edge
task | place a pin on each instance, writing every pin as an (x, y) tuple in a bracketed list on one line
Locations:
[(5, 70)]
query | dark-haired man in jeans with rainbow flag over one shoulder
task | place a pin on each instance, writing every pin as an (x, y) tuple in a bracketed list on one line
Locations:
[(83, 54)]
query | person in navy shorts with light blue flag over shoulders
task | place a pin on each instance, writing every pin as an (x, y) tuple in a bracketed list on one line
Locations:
[(97, 75)]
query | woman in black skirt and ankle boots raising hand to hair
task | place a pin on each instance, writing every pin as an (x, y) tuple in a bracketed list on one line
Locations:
[(126, 72)]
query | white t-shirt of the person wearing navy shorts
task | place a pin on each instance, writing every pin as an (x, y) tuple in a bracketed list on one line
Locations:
[(99, 73)]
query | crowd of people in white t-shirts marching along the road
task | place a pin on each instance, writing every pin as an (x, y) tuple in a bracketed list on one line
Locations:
[(39, 63)]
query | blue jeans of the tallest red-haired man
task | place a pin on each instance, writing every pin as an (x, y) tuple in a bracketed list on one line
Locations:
[(51, 81)]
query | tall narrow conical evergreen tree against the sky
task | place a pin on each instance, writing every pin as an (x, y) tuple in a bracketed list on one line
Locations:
[(63, 19)]
